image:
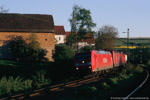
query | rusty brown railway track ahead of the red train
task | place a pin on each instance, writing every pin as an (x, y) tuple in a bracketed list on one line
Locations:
[(55, 88)]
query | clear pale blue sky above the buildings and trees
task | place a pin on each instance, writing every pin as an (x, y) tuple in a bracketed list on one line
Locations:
[(122, 14)]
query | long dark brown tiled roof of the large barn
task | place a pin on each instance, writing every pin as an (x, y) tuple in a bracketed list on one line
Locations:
[(26, 23)]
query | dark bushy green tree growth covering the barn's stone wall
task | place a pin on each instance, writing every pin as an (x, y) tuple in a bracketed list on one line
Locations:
[(29, 51)]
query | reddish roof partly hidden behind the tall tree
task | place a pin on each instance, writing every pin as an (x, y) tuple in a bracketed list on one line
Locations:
[(90, 38)]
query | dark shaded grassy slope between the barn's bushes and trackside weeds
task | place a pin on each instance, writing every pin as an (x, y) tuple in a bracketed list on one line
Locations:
[(55, 71)]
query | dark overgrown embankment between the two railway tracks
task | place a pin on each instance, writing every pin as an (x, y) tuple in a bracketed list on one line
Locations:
[(115, 87)]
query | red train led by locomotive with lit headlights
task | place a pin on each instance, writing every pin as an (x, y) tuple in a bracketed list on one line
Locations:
[(95, 61)]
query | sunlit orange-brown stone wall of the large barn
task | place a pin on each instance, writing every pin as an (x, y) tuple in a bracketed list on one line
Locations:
[(46, 40)]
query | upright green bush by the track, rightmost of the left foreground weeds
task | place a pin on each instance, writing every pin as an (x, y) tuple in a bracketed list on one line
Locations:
[(39, 79)]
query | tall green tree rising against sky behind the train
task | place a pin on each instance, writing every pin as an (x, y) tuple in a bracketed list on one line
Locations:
[(81, 23)]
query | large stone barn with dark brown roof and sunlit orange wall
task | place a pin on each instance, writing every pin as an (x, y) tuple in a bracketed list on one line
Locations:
[(12, 25)]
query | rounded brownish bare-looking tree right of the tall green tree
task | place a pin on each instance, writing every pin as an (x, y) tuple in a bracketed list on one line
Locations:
[(106, 37)]
